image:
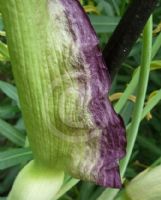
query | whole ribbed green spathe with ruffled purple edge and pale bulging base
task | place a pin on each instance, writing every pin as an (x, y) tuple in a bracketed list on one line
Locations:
[(62, 83)]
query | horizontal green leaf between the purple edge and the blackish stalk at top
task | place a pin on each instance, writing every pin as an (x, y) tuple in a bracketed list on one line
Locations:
[(104, 24)]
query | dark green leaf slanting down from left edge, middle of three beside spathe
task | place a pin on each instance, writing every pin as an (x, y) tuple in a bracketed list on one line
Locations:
[(12, 133)]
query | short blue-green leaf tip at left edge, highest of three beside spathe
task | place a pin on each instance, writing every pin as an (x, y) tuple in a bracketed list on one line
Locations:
[(9, 90)]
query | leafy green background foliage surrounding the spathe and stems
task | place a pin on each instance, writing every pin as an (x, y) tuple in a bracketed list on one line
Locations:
[(14, 150)]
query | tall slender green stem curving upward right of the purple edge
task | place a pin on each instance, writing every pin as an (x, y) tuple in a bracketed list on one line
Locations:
[(132, 129)]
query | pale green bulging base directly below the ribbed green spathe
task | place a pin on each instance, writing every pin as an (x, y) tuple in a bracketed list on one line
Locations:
[(36, 182)]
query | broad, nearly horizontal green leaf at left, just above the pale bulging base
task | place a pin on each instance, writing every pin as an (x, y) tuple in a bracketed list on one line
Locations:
[(14, 157)]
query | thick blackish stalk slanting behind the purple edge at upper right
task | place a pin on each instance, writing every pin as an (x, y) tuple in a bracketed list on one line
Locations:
[(127, 32)]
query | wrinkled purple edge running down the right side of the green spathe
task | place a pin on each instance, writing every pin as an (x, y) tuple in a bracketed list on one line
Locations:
[(113, 140)]
